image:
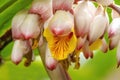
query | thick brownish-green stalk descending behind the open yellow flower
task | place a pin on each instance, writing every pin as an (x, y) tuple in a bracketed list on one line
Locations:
[(59, 72)]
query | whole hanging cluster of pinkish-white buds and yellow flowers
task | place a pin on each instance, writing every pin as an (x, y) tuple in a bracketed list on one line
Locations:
[(67, 27)]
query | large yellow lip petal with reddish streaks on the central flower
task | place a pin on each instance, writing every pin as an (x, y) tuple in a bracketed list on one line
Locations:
[(60, 46)]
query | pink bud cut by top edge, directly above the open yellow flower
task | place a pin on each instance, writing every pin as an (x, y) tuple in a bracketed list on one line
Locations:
[(62, 5)]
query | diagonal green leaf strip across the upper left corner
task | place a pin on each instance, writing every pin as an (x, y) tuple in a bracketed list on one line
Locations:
[(8, 13)]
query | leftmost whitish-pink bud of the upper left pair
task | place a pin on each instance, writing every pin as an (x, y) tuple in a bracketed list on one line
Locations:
[(17, 21)]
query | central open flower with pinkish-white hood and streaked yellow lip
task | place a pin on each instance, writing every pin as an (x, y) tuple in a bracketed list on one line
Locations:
[(60, 35)]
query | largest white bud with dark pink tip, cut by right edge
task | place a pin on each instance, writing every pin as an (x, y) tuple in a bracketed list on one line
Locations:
[(114, 33)]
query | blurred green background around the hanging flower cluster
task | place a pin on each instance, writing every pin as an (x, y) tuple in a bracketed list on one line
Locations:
[(102, 67)]
